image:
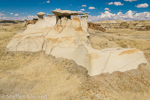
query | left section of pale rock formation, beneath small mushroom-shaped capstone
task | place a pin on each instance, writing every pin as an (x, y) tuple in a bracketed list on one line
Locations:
[(32, 38)]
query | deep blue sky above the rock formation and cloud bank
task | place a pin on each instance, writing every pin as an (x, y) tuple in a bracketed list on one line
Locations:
[(27, 8)]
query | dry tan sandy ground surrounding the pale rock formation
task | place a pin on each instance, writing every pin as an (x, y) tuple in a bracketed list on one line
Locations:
[(37, 74)]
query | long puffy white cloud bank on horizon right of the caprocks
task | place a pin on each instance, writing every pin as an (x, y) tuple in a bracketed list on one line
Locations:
[(129, 15)]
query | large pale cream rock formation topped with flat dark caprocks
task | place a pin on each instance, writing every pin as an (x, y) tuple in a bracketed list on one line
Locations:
[(62, 36)]
